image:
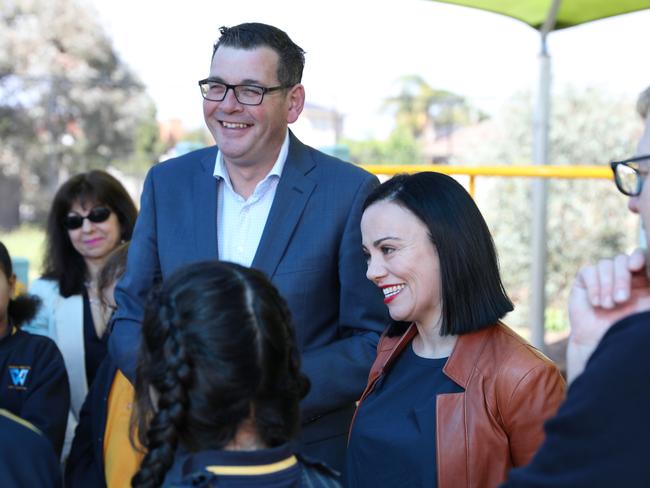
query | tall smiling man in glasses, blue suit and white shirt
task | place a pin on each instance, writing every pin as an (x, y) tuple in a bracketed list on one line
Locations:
[(263, 199)]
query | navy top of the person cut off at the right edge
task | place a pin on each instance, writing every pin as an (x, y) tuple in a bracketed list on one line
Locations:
[(599, 437)]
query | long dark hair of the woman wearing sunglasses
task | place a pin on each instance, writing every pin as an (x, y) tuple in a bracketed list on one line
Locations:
[(62, 262)]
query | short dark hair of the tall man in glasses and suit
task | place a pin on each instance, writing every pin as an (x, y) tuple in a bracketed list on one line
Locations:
[(253, 35)]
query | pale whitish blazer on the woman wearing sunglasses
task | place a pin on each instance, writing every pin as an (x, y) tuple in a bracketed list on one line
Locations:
[(61, 319)]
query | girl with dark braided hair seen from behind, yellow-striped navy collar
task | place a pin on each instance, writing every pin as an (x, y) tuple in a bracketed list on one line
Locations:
[(218, 384)]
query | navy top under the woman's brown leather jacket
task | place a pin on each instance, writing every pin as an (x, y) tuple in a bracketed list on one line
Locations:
[(393, 441)]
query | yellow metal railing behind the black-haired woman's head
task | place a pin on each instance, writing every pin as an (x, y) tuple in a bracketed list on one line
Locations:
[(530, 171)]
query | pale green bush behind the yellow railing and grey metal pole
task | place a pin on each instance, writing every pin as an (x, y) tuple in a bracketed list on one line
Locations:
[(587, 219)]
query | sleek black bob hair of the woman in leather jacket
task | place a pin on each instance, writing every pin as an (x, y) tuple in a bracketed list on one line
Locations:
[(473, 296)]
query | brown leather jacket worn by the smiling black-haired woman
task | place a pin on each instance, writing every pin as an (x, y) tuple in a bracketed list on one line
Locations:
[(497, 423)]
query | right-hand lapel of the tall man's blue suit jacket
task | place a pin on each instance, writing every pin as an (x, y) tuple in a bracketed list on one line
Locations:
[(292, 194)]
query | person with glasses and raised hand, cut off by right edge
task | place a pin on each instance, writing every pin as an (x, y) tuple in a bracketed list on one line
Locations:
[(599, 436)]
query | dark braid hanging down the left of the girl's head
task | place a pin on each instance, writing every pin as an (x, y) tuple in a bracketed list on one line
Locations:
[(171, 383)]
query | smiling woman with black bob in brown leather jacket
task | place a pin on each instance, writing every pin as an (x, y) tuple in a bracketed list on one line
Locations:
[(454, 398)]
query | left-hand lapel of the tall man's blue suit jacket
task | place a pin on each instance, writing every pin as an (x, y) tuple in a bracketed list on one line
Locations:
[(204, 203)]
